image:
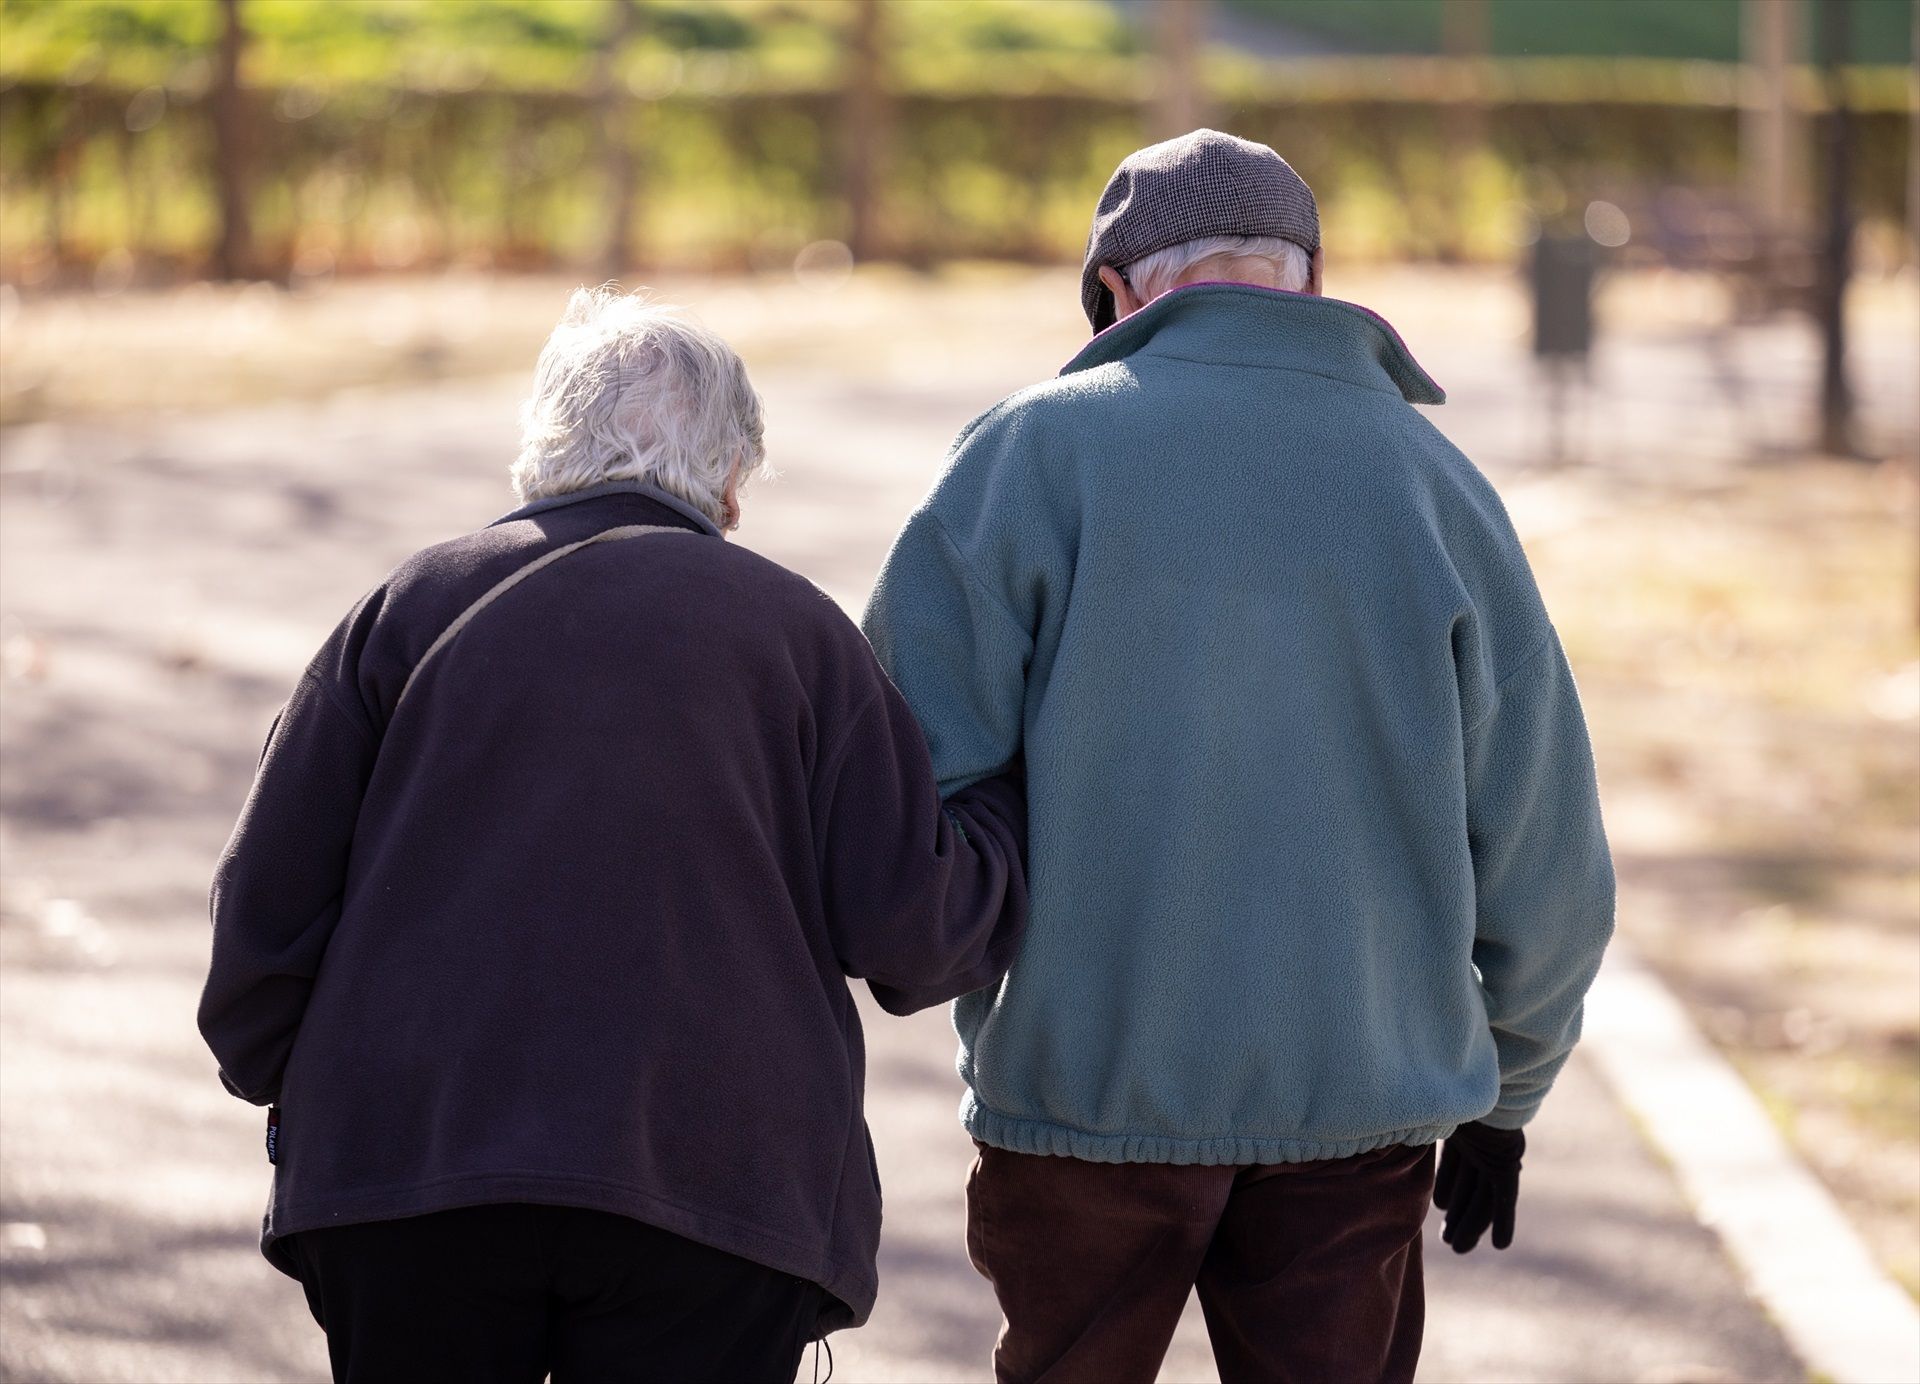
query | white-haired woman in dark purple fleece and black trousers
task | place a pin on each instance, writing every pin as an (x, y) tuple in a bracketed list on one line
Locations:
[(537, 924)]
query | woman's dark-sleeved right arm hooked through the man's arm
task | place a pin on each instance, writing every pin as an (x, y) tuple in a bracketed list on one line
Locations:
[(924, 901)]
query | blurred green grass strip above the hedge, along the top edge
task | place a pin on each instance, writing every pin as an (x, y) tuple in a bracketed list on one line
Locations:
[(721, 47)]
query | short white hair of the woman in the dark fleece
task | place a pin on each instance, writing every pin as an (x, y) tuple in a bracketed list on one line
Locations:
[(631, 391)]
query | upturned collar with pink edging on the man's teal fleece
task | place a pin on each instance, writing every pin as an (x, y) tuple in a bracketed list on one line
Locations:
[(1266, 329)]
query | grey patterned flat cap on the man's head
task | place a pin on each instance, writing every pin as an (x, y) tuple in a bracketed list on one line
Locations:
[(1197, 185)]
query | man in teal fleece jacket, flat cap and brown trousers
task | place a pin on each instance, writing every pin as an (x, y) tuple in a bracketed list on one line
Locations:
[(1316, 857)]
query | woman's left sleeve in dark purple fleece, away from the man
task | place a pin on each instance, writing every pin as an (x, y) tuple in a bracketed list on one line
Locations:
[(279, 884)]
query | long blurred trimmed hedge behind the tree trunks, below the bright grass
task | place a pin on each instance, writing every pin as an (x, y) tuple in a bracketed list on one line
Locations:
[(383, 176)]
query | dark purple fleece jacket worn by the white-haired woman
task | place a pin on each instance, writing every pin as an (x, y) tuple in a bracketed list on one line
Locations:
[(573, 922)]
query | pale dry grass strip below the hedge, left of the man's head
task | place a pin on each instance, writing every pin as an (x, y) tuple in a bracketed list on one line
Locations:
[(210, 346)]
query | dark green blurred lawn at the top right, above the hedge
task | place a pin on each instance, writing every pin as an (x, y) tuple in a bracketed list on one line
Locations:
[(1698, 30)]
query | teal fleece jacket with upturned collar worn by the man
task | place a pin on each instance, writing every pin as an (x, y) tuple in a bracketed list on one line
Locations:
[(1316, 857)]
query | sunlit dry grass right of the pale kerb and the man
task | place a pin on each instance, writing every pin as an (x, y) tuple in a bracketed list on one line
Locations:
[(1750, 656)]
